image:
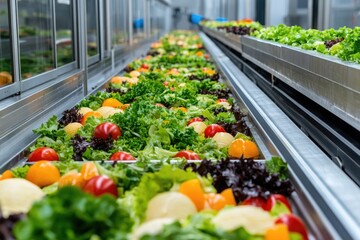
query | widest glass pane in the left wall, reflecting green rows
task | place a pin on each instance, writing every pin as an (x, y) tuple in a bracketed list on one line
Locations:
[(35, 32)]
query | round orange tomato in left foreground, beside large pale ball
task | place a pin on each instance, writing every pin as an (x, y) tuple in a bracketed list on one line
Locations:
[(43, 173)]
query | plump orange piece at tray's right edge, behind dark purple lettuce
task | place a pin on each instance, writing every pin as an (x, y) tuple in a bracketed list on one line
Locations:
[(243, 148)]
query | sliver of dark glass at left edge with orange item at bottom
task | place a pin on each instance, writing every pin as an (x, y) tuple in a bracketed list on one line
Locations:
[(5, 47)]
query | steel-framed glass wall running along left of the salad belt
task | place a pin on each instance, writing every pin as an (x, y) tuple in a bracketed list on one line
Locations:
[(55, 52)]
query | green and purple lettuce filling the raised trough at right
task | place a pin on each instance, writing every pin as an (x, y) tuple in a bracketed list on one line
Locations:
[(342, 43)]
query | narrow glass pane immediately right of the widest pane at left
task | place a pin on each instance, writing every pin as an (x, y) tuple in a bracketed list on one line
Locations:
[(64, 30)]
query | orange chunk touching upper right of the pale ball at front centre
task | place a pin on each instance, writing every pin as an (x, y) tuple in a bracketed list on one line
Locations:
[(193, 190)]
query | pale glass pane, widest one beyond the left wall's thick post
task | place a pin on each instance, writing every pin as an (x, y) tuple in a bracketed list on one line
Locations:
[(119, 22)]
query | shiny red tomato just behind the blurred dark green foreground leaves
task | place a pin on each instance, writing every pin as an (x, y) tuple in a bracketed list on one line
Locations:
[(100, 185)]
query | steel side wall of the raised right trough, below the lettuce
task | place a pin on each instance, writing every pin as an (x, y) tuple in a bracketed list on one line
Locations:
[(330, 82)]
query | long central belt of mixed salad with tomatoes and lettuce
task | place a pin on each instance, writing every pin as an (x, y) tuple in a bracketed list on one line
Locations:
[(170, 107)]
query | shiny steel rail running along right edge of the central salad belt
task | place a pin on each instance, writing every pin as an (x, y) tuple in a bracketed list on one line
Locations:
[(323, 185)]
